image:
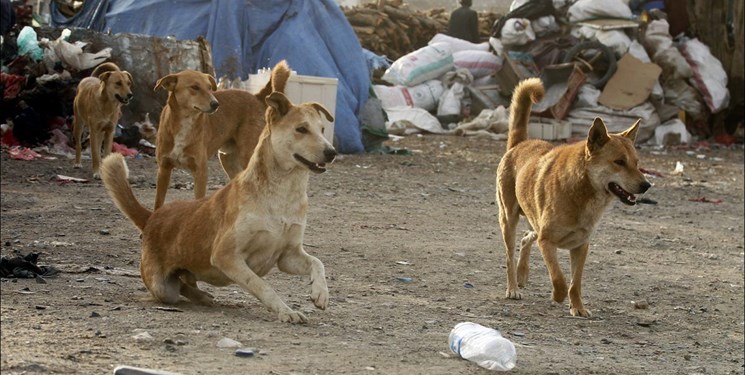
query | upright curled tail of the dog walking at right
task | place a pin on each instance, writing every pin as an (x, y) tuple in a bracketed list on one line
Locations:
[(527, 92)]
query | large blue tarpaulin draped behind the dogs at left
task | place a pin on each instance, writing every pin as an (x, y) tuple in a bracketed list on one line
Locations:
[(313, 36)]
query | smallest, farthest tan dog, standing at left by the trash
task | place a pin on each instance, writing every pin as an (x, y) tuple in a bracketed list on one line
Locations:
[(97, 106)]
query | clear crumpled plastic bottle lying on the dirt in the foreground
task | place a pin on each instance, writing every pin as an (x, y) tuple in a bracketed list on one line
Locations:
[(483, 345)]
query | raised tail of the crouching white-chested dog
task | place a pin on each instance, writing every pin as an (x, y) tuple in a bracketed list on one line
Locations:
[(114, 174)]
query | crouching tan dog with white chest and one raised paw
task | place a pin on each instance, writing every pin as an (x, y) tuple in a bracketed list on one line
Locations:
[(239, 233)]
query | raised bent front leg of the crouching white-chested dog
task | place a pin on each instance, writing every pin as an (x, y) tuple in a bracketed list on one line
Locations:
[(298, 262)]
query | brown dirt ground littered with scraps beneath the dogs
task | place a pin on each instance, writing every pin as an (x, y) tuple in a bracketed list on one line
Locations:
[(411, 248)]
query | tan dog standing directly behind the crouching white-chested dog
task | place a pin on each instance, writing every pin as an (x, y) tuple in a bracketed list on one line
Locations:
[(192, 129)]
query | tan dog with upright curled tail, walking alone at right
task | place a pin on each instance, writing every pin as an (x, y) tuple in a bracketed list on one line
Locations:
[(562, 191)]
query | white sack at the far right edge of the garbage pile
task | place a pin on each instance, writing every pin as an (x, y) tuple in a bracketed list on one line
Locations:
[(709, 78)]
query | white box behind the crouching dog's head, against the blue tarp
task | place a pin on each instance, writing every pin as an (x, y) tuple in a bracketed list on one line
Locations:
[(301, 89)]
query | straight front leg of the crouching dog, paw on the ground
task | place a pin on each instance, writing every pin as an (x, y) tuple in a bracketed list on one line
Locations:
[(225, 258)]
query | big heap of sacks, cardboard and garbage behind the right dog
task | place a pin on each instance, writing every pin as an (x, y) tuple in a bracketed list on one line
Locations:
[(597, 58)]
